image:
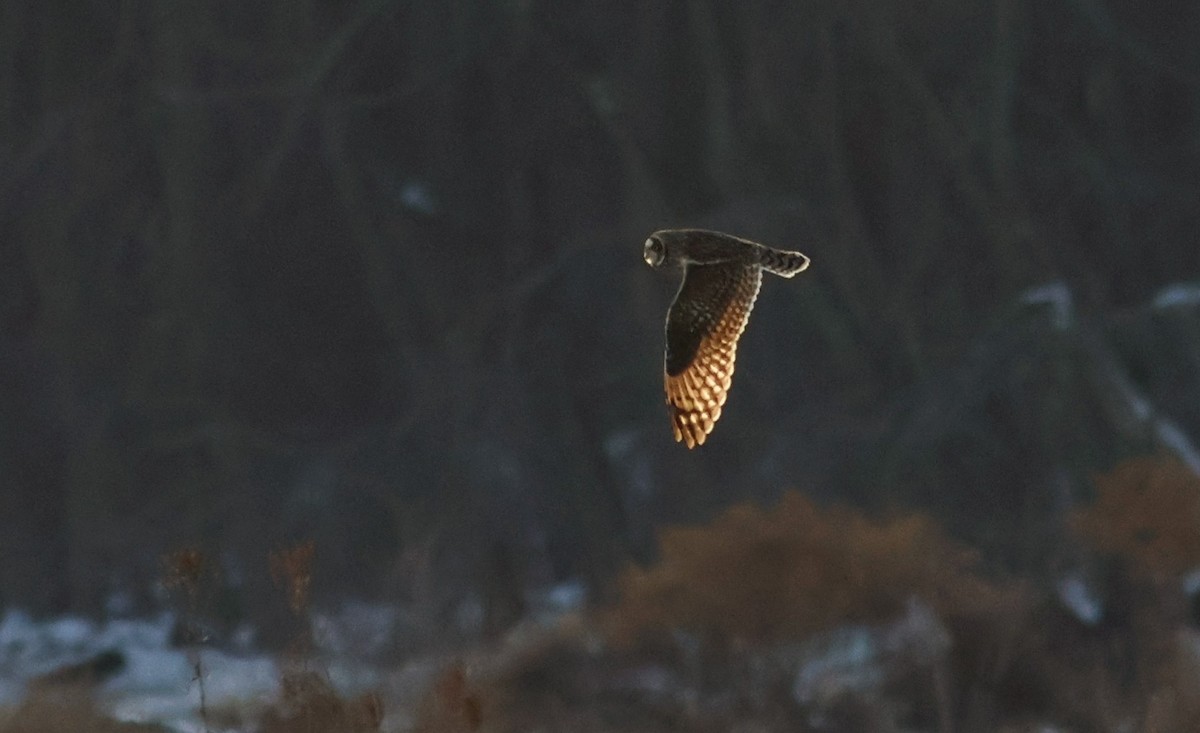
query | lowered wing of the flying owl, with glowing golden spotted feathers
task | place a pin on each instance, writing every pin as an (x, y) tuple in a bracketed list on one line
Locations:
[(704, 326)]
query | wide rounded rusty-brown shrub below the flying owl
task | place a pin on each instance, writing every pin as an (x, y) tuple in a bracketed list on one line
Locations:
[(794, 570)]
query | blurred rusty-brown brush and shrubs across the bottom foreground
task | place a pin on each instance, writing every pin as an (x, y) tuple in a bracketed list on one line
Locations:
[(797, 617)]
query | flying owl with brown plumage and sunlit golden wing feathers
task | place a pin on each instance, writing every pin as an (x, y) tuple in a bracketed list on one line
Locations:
[(722, 275)]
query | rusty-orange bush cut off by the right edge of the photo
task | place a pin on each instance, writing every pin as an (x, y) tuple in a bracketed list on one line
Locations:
[(1147, 510)]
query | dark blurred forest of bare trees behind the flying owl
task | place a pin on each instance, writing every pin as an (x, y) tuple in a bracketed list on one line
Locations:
[(369, 274)]
